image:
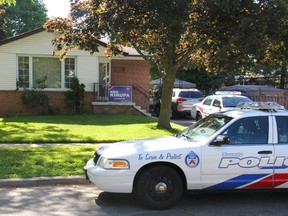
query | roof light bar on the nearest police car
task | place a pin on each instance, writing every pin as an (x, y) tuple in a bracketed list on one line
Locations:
[(267, 106)]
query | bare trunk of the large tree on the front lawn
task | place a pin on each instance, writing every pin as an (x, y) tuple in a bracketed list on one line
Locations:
[(166, 98)]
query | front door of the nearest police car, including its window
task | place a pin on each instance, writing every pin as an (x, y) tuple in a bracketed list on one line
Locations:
[(246, 162)]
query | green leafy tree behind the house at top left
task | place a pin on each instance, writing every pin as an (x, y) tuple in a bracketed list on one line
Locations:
[(25, 15)]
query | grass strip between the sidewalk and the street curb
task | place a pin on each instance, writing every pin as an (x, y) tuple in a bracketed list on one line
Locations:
[(28, 162)]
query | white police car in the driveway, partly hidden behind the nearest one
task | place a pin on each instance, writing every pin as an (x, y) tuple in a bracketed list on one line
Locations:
[(221, 101)]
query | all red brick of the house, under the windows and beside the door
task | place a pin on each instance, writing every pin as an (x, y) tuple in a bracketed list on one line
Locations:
[(124, 72)]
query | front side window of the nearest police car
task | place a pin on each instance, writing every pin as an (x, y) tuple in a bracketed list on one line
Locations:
[(252, 130)]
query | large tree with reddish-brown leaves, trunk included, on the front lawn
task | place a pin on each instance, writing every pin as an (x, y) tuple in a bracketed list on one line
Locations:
[(166, 32)]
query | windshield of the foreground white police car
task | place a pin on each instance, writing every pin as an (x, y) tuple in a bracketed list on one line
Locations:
[(203, 129)]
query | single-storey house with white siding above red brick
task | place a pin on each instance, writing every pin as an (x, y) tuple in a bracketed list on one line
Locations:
[(28, 57)]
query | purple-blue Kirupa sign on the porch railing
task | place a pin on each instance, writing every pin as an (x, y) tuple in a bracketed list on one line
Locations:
[(121, 94)]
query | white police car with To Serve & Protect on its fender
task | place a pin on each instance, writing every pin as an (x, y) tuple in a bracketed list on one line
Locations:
[(239, 149)]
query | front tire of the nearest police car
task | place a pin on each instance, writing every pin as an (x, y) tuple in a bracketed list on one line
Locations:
[(159, 176)]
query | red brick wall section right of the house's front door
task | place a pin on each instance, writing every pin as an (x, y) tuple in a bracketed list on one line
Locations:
[(130, 73)]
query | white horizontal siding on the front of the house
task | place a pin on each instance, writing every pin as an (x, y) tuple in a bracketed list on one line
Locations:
[(40, 45)]
